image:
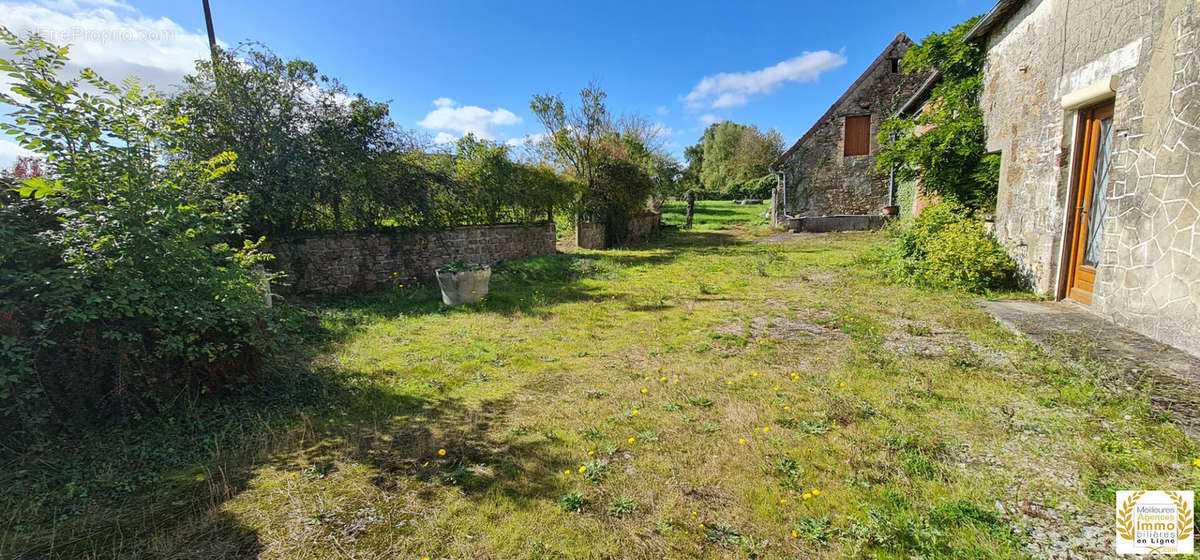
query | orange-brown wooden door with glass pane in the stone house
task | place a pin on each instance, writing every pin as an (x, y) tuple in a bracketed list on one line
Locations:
[(1089, 201)]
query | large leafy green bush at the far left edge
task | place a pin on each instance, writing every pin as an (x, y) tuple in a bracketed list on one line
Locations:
[(119, 288)]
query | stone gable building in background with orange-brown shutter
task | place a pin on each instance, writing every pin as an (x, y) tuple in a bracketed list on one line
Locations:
[(831, 170)]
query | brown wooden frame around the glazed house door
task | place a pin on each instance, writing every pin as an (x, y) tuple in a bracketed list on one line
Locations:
[(1077, 177)]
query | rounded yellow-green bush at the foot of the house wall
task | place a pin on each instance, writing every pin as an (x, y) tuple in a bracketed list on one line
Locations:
[(947, 248)]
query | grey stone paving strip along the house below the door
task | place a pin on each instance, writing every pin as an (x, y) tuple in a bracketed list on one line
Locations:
[(1069, 330)]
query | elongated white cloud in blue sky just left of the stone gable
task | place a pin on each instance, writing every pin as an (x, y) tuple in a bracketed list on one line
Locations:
[(735, 89)]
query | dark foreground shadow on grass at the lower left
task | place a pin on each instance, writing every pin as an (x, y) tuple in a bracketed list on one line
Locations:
[(160, 489)]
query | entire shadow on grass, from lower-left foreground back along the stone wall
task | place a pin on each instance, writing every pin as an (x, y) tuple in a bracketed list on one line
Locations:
[(159, 486)]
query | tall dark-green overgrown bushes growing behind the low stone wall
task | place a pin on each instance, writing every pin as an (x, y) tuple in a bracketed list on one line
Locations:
[(311, 158)]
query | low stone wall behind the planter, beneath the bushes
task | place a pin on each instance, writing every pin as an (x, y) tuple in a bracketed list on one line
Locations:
[(343, 263)]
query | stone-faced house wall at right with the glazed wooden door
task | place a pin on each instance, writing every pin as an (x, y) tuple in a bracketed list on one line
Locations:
[(1095, 109)]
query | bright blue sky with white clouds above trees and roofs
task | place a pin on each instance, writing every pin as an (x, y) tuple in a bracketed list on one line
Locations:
[(452, 68)]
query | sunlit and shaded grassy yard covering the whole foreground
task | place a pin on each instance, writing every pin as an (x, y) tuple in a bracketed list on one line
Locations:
[(703, 396)]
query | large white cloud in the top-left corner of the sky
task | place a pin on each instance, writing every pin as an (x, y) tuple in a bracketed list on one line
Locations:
[(111, 38)]
